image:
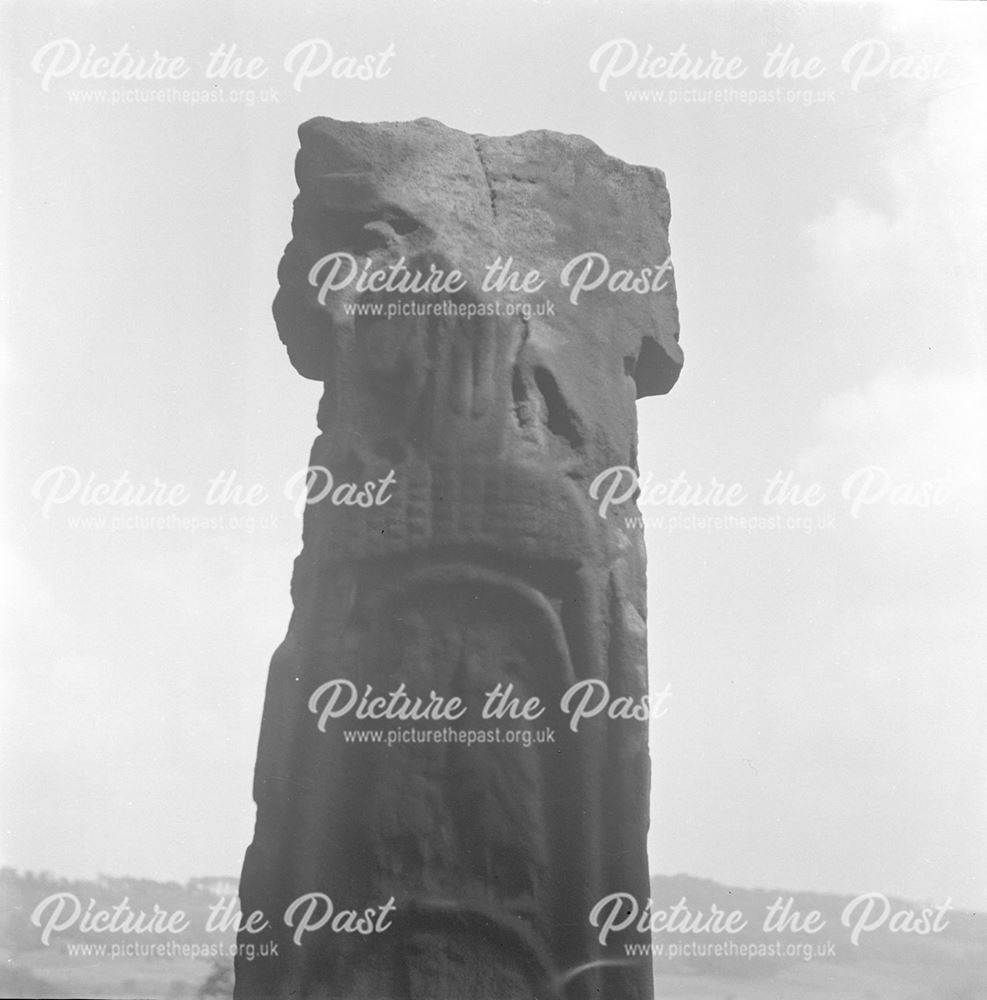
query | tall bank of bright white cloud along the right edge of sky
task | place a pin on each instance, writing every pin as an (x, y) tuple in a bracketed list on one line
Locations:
[(900, 689)]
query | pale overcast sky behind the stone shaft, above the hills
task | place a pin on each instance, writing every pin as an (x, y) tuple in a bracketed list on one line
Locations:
[(826, 725)]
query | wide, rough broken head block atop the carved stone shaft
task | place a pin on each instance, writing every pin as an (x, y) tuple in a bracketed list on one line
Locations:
[(435, 195)]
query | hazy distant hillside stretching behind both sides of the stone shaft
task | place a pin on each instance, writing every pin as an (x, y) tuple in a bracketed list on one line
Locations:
[(950, 964)]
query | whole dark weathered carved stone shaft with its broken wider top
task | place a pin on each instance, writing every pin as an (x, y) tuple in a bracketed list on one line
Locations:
[(487, 564)]
